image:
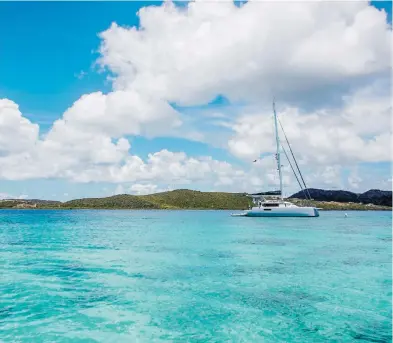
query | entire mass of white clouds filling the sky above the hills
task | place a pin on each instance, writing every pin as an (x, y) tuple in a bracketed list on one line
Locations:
[(328, 64)]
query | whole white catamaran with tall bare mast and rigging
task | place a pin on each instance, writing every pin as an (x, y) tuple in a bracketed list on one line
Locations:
[(277, 207)]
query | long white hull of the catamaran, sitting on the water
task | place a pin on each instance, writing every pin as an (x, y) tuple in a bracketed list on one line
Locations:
[(282, 212)]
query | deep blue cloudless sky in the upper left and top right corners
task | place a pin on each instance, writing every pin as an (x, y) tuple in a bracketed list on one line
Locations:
[(49, 43)]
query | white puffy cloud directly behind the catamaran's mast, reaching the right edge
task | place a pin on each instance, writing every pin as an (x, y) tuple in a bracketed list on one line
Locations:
[(360, 131)]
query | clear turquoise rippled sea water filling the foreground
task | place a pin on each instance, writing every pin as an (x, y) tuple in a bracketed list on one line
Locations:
[(194, 276)]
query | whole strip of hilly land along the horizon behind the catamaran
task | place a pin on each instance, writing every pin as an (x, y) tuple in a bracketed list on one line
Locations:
[(184, 199)]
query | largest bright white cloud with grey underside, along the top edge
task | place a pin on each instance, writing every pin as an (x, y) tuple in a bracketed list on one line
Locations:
[(191, 54)]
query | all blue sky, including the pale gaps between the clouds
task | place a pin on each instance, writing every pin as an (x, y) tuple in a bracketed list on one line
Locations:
[(44, 48)]
